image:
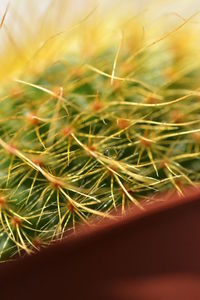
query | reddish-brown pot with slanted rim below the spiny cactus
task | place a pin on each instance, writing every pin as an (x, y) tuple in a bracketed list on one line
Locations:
[(143, 255)]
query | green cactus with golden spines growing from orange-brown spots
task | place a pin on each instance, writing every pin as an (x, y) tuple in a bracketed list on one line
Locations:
[(96, 129)]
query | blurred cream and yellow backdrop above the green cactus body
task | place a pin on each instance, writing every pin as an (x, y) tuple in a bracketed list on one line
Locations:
[(34, 33)]
